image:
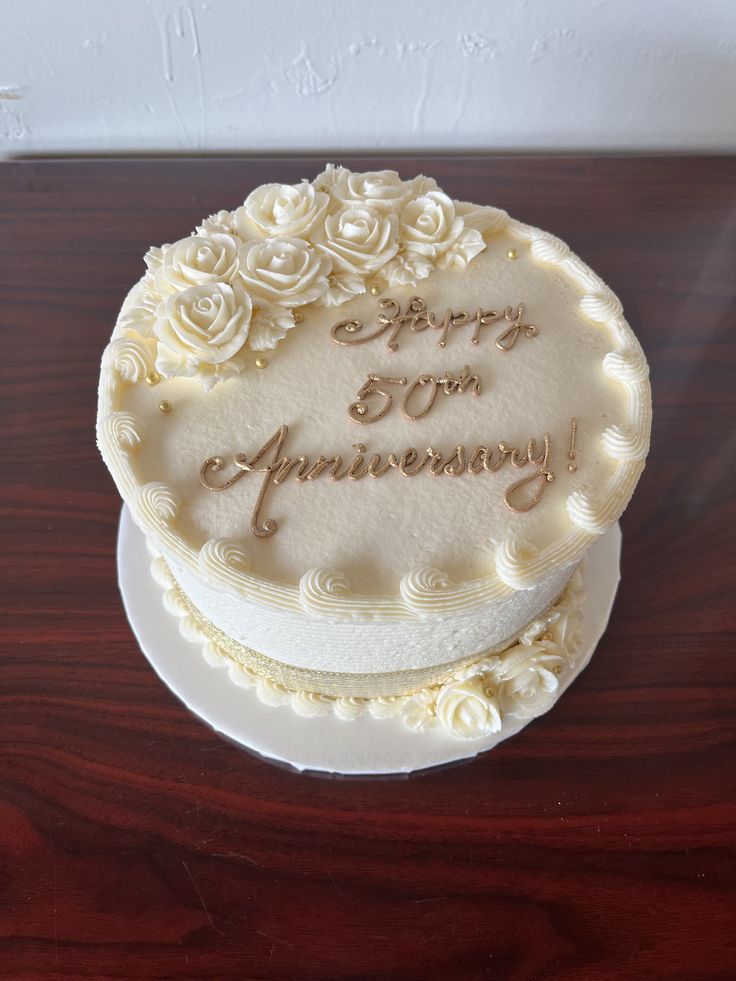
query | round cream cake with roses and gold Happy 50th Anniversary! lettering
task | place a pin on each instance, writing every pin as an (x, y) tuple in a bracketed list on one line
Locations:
[(369, 432)]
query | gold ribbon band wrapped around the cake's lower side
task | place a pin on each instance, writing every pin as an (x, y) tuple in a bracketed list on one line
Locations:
[(338, 684)]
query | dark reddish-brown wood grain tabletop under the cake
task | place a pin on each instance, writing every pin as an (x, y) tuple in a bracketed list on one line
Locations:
[(597, 844)]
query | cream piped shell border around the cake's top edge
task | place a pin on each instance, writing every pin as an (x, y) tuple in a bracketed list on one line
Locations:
[(518, 566)]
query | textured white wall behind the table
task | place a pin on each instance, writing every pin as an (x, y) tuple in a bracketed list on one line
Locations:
[(132, 75)]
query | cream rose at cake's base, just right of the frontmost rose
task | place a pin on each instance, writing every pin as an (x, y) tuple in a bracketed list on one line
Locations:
[(529, 679)]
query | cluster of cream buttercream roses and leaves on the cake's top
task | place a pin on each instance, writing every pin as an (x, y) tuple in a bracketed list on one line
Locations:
[(233, 286)]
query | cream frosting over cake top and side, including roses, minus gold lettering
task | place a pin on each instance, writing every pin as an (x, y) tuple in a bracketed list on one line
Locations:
[(425, 570)]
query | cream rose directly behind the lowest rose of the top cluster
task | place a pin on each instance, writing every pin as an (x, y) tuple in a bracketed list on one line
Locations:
[(197, 261)]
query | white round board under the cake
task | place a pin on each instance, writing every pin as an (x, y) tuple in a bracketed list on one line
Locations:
[(327, 744)]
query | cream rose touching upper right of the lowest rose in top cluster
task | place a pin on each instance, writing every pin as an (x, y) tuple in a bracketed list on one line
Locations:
[(286, 272)]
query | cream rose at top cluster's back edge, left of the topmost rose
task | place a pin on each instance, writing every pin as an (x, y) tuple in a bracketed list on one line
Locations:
[(281, 211)]
